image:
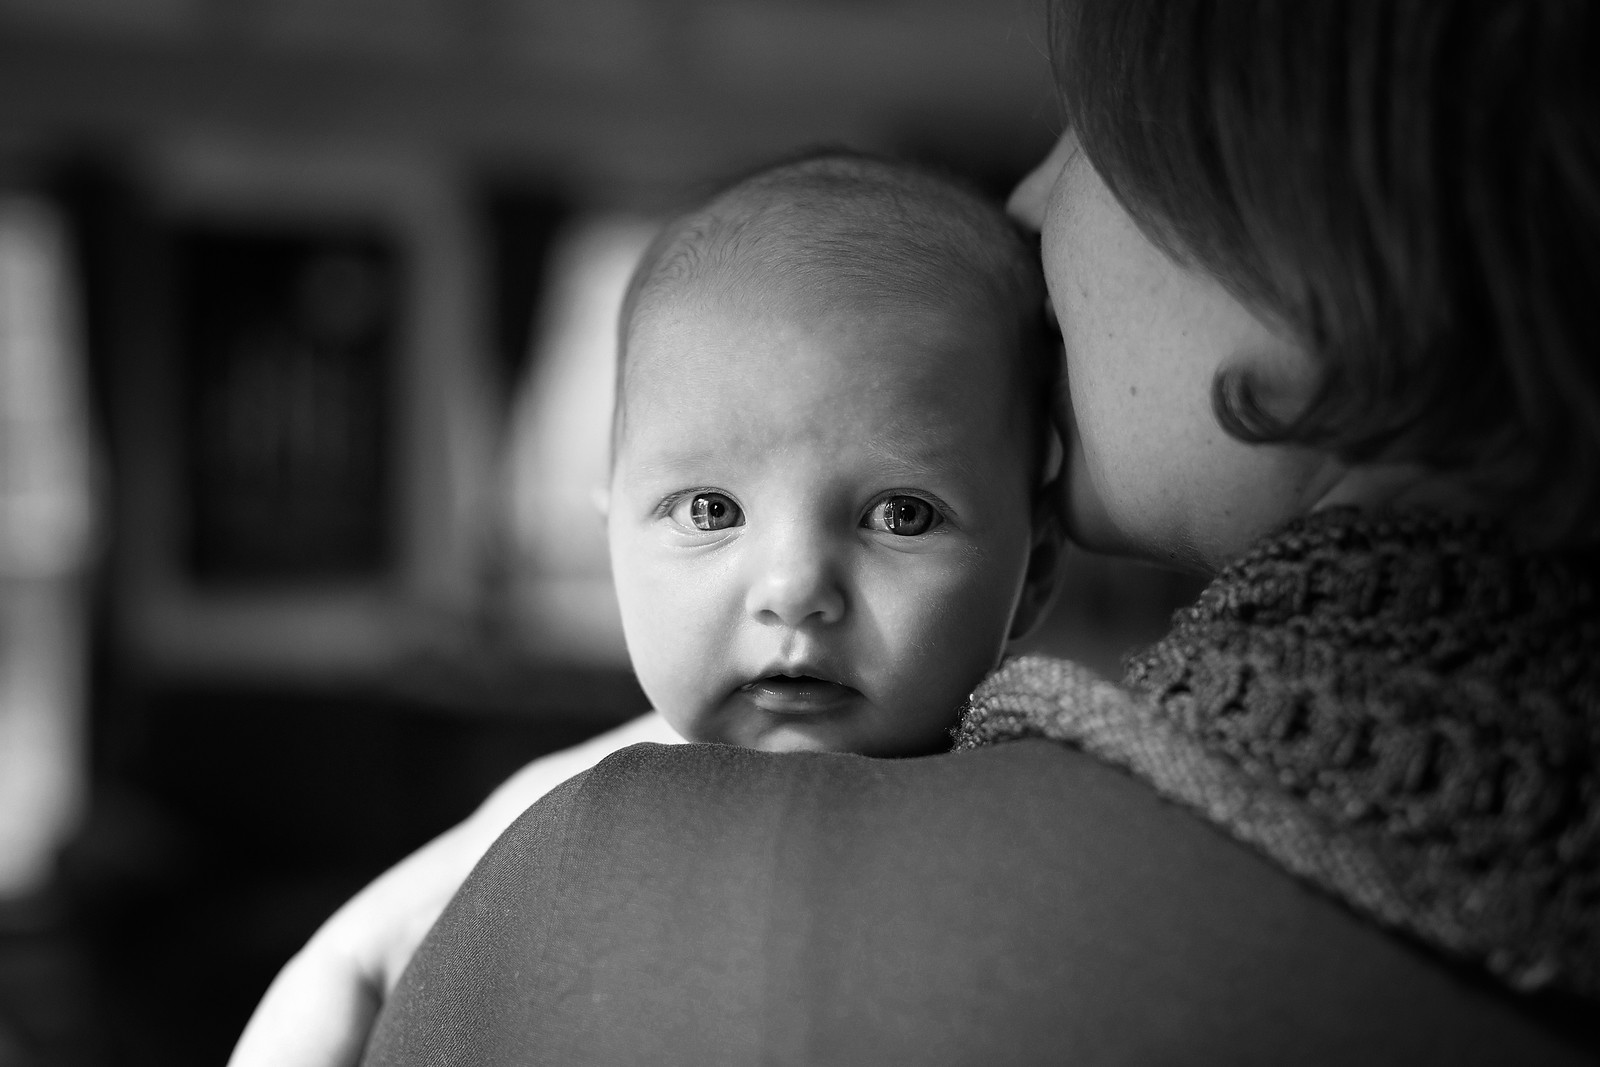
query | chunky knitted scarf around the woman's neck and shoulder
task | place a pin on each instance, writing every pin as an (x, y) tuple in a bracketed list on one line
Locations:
[(1404, 711)]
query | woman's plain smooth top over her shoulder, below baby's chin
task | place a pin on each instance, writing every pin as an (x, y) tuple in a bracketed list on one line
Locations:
[(1015, 905)]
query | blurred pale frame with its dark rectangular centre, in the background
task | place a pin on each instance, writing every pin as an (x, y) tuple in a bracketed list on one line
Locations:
[(302, 412)]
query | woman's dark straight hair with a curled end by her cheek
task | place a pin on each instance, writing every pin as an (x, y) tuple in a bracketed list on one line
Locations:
[(1410, 188)]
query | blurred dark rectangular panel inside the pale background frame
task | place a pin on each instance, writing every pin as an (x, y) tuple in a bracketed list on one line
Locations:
[(287, 374)]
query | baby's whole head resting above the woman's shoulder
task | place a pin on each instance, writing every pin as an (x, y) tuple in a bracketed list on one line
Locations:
[(831, 438)]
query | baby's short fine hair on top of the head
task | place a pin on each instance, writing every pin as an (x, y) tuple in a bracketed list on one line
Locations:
[(844, 230)]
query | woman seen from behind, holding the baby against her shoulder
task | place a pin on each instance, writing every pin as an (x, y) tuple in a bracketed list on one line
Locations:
[(1326, 276)]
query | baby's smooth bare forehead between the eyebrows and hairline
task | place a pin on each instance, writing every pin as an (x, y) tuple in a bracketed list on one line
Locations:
[(754, 366)]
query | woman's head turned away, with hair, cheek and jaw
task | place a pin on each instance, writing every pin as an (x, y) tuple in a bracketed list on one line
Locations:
[(1385, 226)]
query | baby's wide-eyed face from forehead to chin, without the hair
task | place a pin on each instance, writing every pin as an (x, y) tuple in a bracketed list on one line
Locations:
[(818, 530)]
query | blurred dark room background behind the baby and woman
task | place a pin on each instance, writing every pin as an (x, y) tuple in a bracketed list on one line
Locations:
[(305, 378)]
